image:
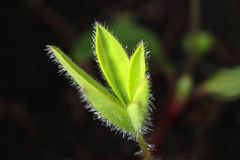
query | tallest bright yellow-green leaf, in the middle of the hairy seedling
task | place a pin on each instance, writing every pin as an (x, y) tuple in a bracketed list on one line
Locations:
[(113, 61)]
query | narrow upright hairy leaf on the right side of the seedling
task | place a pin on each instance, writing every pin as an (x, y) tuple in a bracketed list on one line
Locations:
[(138, 89)]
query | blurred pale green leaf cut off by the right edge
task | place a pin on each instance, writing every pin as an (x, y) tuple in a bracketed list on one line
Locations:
[(224, 84)]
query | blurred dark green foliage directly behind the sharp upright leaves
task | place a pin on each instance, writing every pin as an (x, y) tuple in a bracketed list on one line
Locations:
[(127, 31)]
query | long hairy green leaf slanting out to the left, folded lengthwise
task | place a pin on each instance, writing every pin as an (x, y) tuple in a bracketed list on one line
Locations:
[(106, 105)]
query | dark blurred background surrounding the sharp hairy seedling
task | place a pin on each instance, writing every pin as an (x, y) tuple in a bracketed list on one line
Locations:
[(42, 117)]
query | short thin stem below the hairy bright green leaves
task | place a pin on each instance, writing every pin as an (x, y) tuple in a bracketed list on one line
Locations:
[(144, 147)]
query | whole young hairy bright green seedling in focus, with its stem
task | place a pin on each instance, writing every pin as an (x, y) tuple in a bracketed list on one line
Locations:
[(125, 106)]
